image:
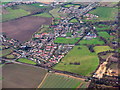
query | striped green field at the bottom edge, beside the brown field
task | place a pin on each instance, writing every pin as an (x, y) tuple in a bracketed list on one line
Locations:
[(59, 81)]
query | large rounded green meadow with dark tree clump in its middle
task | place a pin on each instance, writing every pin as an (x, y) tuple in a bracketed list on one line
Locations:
[(88, 61)]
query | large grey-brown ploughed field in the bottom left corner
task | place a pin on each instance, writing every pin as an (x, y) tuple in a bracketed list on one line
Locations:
[(21, 76)]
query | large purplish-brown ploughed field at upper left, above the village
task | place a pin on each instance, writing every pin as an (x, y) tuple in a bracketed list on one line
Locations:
[(22, 29)]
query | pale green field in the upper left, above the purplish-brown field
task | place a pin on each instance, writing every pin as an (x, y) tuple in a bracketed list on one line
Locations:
[(14, 14)]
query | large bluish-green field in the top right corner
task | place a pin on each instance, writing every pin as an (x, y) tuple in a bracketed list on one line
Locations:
[(105, 13)]
